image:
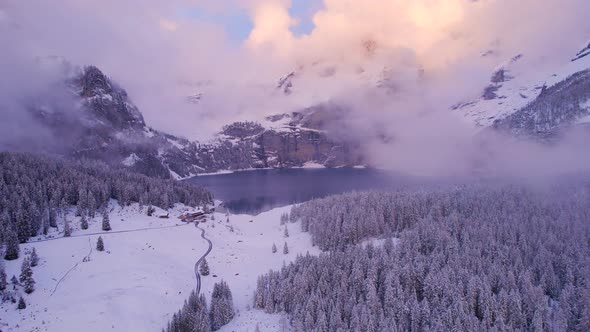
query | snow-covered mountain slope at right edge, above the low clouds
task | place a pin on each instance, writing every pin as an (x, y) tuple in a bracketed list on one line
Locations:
[(532, 101)]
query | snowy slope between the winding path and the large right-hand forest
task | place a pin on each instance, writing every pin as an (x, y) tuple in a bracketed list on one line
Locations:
[(239, 257)]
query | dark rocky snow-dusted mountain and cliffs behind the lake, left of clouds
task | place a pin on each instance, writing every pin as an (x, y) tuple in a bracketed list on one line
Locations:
[(96, 119)]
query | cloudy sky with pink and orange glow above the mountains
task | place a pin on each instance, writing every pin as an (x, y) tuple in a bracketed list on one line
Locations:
[(428, 54)]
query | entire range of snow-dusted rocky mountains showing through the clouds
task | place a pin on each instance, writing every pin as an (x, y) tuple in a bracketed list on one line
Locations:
[(100, 121)]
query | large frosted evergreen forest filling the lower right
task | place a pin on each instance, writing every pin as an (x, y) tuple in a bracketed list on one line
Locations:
[(474, 259)]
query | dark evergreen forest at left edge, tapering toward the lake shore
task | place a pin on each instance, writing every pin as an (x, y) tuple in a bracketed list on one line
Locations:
[(36, 190)]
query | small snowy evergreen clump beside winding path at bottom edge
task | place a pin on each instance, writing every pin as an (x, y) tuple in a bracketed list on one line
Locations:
[(194, 315)]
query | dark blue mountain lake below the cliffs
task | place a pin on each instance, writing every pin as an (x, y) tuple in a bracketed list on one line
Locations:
[(252, 192)]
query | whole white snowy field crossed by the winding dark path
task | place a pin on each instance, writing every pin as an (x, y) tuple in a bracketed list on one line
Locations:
[(144, 275)]
